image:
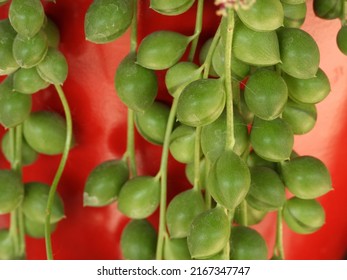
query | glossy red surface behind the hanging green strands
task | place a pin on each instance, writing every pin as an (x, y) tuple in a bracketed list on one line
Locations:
[(99, 121)]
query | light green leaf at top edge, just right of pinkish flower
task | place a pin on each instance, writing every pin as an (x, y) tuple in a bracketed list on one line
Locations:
[(263, 15)]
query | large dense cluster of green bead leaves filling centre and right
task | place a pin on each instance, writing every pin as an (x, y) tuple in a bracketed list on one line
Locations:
[(237, 144)]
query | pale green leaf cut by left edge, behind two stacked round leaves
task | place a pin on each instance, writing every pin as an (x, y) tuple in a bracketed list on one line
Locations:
[(7, 62)]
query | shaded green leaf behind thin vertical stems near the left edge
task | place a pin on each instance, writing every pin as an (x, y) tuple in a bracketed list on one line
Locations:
[(29, 156)]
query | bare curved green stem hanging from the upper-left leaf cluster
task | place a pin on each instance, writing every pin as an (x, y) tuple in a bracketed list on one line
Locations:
[(59, 171)]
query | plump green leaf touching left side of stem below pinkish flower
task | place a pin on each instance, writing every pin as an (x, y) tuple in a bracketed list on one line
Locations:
[(201, 102)]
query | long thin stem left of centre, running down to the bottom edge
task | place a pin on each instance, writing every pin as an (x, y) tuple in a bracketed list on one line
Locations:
[(163, 181)]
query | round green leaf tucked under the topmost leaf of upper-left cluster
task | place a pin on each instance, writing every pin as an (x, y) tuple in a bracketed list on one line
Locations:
[(28, 52)]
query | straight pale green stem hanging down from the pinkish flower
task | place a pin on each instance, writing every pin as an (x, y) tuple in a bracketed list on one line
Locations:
[(230, 139)]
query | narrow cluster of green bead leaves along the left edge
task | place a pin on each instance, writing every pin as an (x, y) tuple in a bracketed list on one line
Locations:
[(30, 59)]
